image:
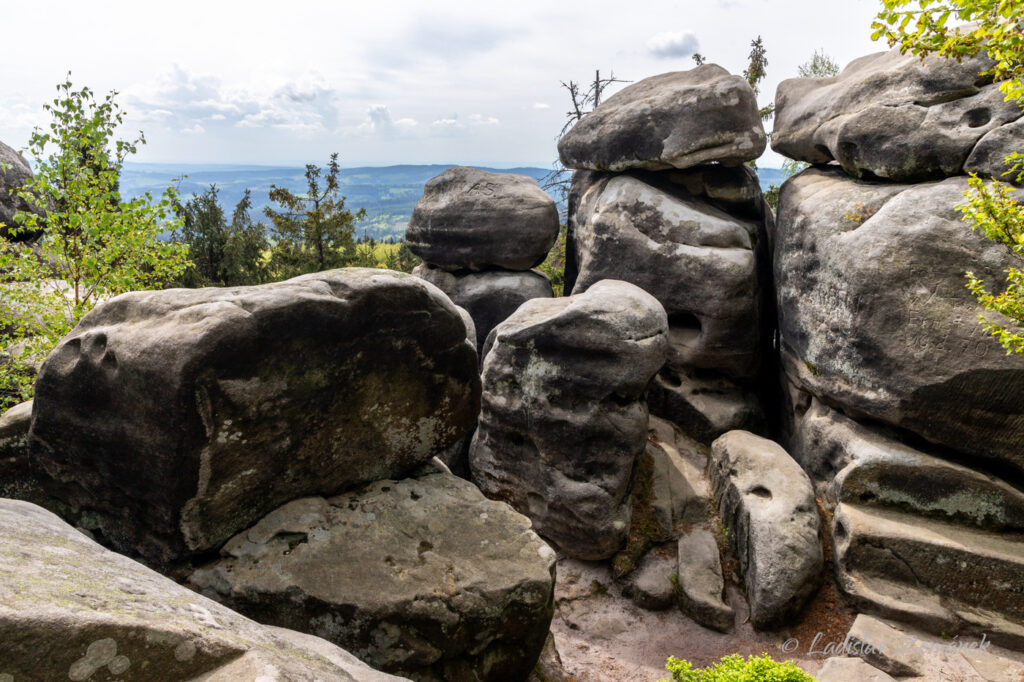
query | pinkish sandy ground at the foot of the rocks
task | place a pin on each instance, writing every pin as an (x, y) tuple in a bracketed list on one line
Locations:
[(604, 637)]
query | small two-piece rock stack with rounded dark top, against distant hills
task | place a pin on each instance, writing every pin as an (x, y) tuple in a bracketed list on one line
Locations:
[(480, 234)]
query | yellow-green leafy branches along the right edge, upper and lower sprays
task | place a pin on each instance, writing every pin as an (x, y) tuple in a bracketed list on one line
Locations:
[(921, 28)]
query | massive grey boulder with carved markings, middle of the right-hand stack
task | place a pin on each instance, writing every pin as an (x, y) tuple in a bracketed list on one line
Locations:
[(875, 316)]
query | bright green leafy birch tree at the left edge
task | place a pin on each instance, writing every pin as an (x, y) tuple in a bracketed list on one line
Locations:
[(95, 245)]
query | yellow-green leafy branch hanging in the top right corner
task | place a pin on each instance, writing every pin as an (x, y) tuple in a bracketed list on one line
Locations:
[(921, 27)]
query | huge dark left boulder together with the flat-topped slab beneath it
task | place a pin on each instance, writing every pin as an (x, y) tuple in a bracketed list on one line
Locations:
[(289, 425)]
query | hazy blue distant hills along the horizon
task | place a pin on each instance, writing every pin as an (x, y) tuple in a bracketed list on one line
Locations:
[(388, 193)]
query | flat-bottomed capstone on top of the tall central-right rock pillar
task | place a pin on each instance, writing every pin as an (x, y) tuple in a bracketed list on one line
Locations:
[(674, 120)]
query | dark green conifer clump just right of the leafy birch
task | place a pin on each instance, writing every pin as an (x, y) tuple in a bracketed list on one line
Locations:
[(223, 254)]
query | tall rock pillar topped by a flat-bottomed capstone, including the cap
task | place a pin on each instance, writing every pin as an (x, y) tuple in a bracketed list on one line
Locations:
[(663, 201)]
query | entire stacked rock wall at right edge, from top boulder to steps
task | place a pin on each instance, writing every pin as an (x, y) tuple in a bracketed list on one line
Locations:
[(903, 408)]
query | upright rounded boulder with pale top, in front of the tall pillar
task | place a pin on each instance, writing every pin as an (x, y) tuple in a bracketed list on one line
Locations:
[(564, 416)]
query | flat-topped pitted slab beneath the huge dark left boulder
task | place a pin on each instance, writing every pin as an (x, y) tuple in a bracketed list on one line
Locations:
[(421, 577)]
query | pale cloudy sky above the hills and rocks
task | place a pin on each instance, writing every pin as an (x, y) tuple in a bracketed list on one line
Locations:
[(383, 82)]
